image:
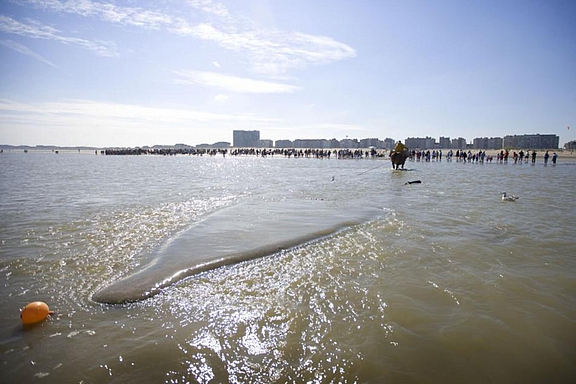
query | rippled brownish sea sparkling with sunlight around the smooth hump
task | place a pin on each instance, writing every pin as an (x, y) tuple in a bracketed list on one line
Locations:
[(442, 283)]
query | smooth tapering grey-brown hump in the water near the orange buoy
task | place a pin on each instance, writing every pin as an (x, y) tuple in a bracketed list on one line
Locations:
[(241, 232)]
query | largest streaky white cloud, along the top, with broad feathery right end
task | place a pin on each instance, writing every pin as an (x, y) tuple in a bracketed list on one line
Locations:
[(270, 52)]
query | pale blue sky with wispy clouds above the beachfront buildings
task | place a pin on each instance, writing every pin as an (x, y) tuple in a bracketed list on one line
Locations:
[(135, 73)]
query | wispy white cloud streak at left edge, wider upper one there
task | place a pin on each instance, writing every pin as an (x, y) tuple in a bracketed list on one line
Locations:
[(37, 30)]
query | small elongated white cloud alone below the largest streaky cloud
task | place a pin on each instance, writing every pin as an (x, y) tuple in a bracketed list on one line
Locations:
[(233, 83)]
